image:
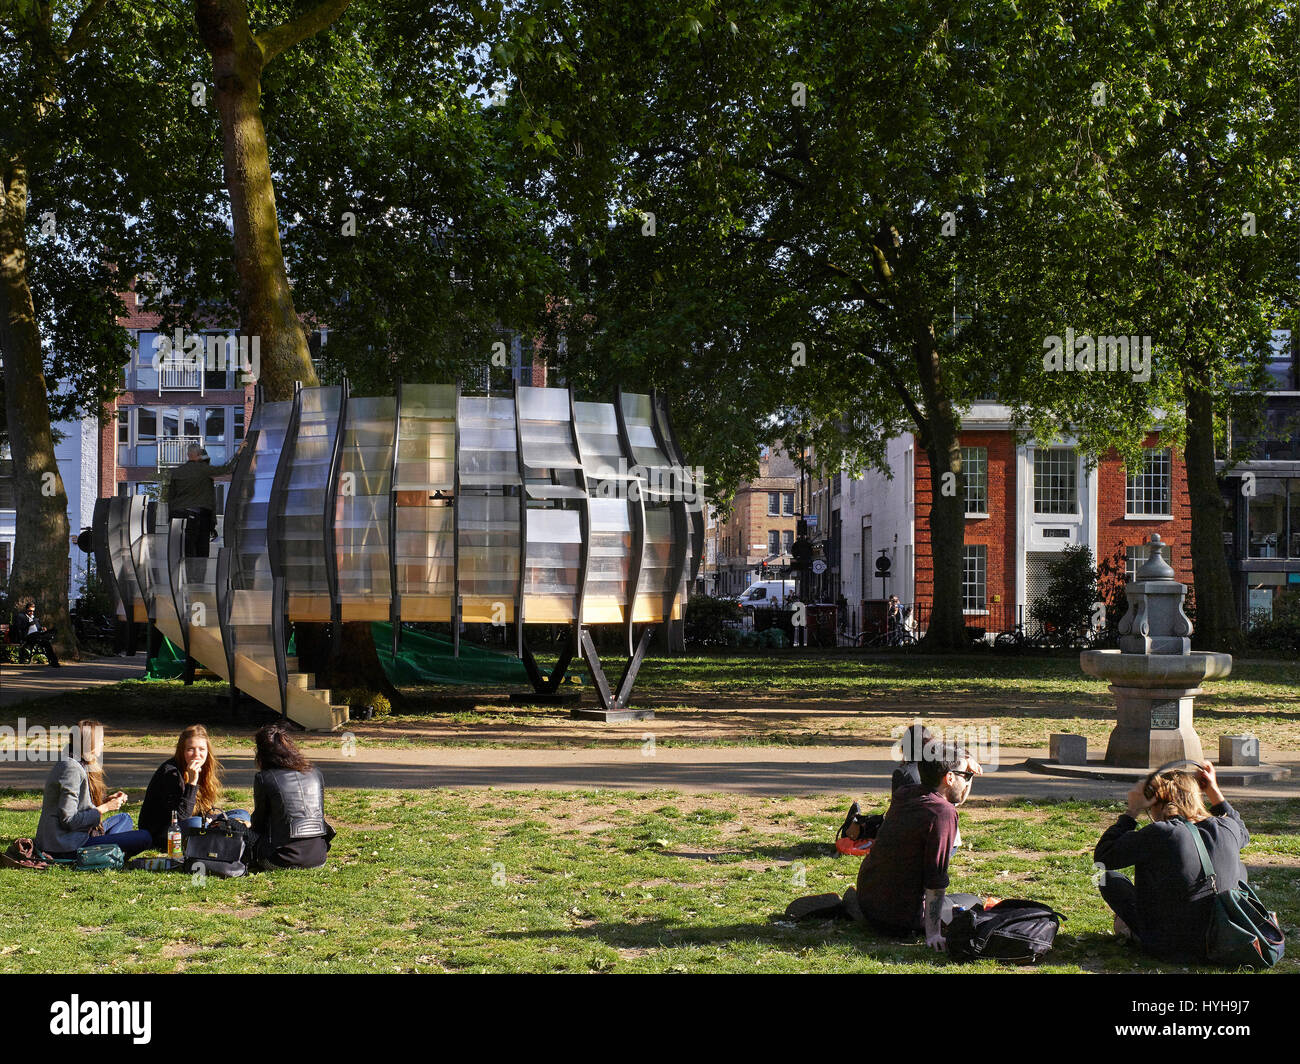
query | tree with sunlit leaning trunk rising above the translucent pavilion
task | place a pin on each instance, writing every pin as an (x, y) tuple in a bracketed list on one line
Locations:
[(401, 233)]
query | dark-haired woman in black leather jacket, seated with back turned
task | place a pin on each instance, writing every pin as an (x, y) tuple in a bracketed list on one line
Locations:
[(288, 806)]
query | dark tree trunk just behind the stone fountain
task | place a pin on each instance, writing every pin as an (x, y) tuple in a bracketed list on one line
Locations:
[(1216, 626)]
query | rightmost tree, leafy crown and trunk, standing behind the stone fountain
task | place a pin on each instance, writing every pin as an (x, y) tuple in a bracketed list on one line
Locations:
[(1197, 141)]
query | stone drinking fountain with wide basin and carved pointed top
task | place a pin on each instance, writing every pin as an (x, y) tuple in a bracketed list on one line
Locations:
[(1155, 674)]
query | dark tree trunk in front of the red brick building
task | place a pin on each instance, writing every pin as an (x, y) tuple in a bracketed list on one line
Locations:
[(941, 436)]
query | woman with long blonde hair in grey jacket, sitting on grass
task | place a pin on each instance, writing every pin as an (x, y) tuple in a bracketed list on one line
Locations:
[(76, 811)]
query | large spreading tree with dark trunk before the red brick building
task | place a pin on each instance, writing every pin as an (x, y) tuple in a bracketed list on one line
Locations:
[(812, 218)]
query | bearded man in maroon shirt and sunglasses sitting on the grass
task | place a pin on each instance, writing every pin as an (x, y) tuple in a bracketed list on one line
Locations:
[(904, 880)]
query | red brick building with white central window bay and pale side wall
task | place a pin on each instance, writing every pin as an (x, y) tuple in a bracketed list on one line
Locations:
[(1024, 504)]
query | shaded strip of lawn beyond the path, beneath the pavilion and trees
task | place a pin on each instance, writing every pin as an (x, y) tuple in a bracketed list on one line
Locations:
[(769, 699)]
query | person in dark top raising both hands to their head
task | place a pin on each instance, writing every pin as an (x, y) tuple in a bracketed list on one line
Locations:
[(1164, 909)]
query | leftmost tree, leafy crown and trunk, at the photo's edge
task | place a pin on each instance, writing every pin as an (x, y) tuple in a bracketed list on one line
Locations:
[(79, 90)]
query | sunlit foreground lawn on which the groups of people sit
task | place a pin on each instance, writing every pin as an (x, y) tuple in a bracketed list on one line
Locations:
[(492, 881)]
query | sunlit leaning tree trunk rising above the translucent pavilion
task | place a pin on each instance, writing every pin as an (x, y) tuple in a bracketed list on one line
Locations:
[(266, 301)]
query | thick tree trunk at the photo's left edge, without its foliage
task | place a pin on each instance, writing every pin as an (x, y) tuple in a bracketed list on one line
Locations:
[(41, 537)]
